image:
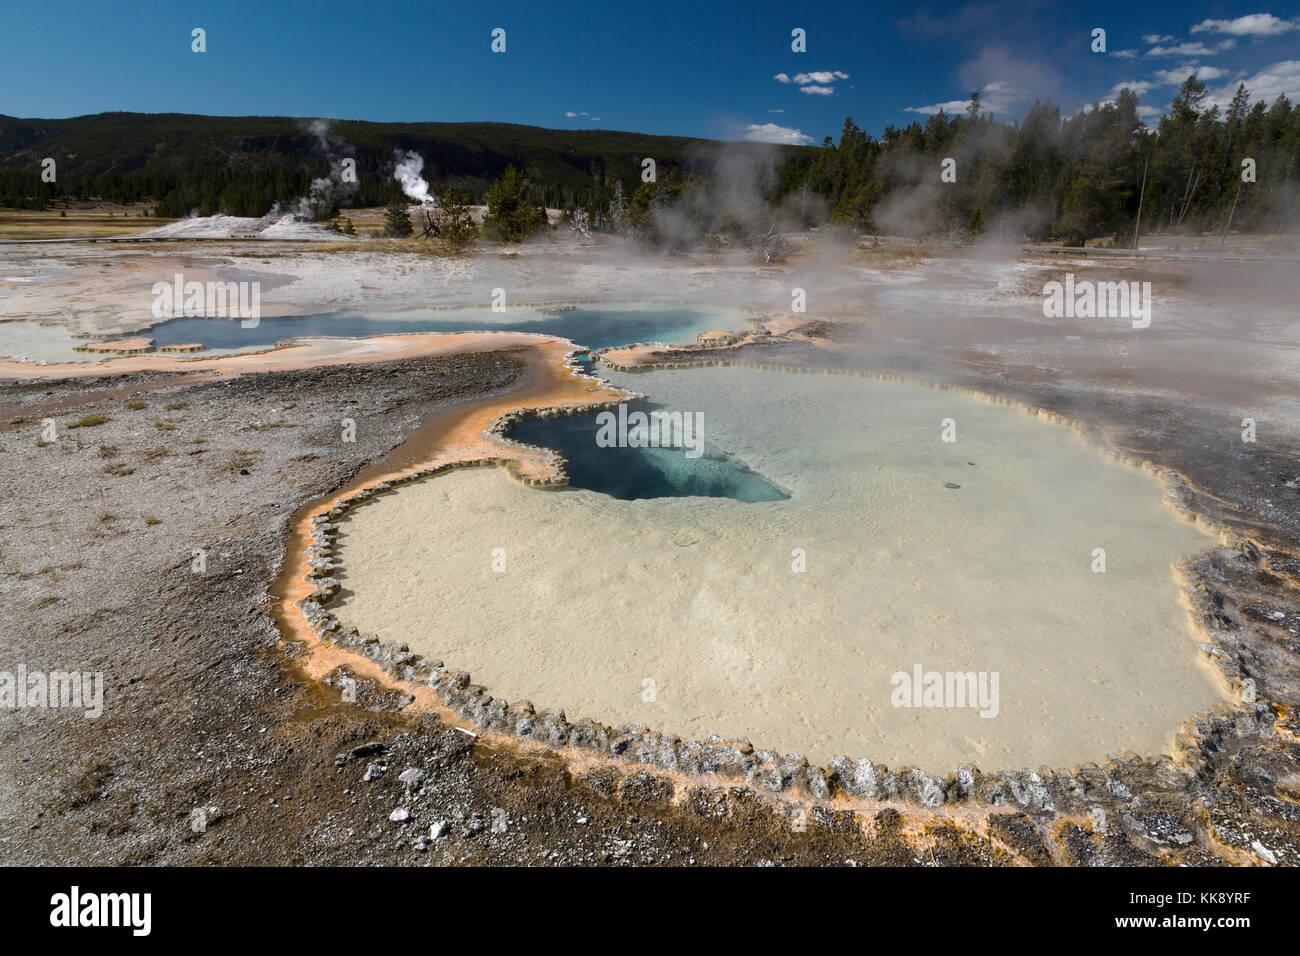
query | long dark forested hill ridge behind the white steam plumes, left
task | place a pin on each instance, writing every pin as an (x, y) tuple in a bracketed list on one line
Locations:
[(242, 166)]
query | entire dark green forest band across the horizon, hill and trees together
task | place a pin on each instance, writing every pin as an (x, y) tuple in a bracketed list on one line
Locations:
[(1073, 178)]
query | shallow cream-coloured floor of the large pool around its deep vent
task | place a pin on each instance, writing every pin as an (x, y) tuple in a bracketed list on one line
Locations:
[(699, 595)]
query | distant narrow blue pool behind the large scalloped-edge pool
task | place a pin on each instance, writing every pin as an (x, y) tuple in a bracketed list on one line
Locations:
[(595, 327)]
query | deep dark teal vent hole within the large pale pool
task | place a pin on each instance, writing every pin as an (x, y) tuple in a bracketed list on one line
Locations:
[(644, 473)]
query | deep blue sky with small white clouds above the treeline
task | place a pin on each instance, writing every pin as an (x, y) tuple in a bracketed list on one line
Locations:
[(709, 70)]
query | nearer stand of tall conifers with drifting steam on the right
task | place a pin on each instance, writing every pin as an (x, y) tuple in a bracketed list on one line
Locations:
[(1073, 178)]
